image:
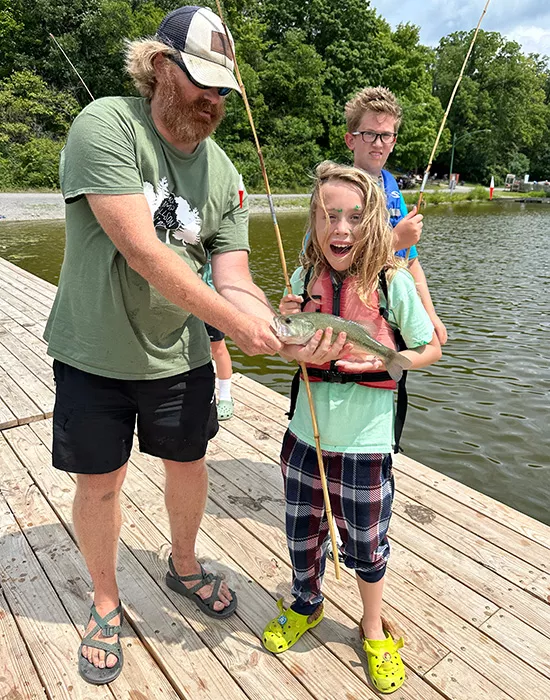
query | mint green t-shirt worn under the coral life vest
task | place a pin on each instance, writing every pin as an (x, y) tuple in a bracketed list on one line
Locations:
[(354, 418)]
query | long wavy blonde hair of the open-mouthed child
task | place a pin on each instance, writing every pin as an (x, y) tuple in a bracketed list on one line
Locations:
[(373, 246)]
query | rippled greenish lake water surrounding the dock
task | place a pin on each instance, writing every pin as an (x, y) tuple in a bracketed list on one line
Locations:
[(481, 414)]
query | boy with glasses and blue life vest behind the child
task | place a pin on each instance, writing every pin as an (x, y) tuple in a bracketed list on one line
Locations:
[(373, 118)]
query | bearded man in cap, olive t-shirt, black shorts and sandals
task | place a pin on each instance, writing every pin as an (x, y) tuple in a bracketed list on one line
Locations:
[(149, 198)]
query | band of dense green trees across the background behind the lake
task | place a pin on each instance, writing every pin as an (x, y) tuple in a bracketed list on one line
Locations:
[(300, 62)]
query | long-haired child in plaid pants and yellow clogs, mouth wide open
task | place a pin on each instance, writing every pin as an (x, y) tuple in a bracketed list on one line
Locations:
[(348, 263)]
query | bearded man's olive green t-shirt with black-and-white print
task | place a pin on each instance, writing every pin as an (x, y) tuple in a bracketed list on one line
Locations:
[(106, 318)]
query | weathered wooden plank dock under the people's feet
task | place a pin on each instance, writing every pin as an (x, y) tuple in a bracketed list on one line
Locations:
[(468, 581)]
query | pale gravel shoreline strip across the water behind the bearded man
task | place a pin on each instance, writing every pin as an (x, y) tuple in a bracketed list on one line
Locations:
[(48, 206)]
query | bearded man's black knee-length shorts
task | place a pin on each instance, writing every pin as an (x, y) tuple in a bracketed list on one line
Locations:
[(94, 418)]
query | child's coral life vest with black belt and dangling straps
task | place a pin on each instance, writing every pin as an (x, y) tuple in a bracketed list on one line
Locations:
[(330, 298)]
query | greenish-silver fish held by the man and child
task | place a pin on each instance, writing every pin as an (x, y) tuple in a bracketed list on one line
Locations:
[(297, 329)]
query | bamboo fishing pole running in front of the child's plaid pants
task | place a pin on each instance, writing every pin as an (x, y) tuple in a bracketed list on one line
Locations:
[(326, 496)]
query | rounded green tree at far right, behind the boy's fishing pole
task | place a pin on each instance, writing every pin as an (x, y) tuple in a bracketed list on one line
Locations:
[(503, 90)]
